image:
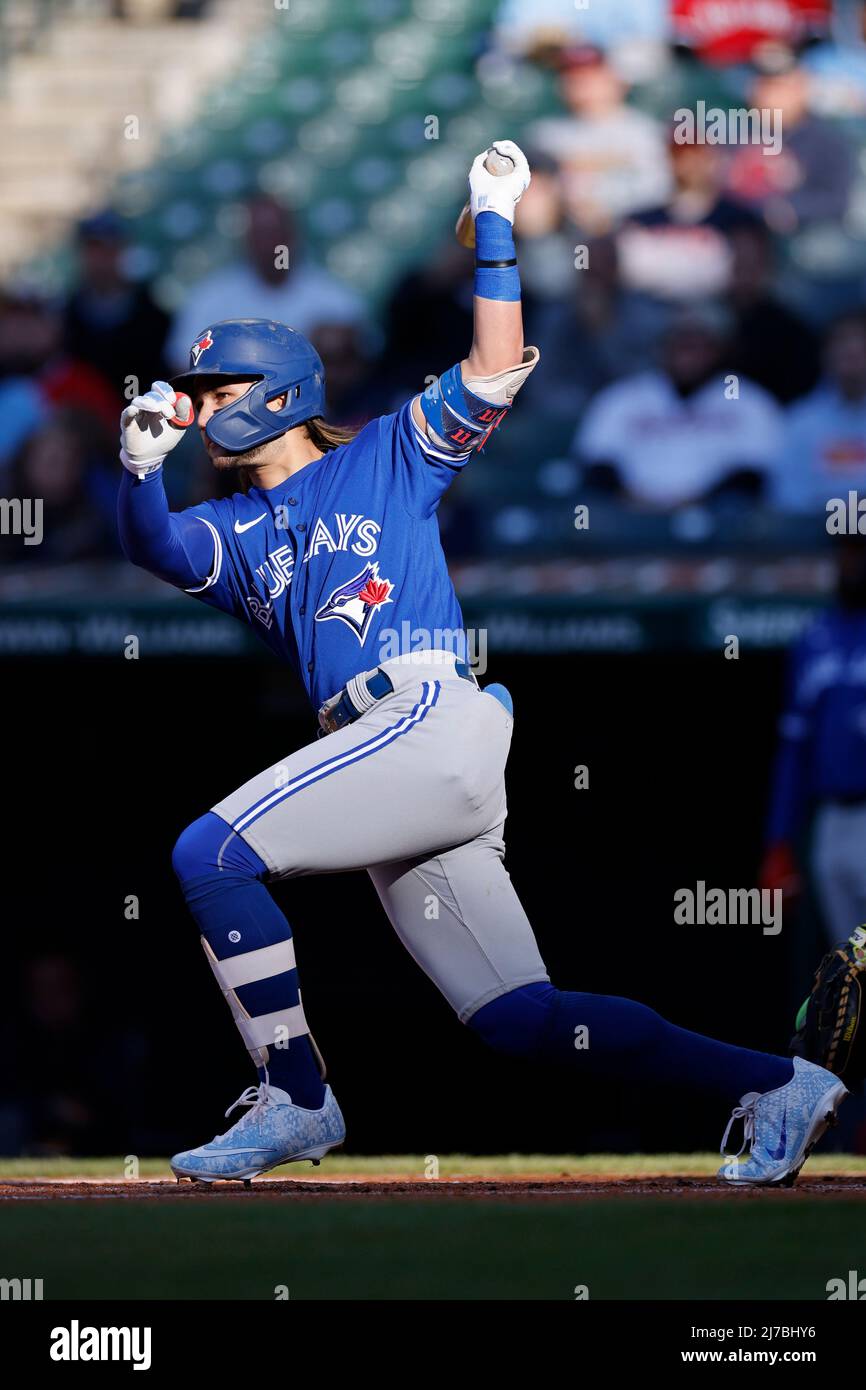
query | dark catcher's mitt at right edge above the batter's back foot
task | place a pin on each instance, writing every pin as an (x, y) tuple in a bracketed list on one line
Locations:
[(829, 1025)]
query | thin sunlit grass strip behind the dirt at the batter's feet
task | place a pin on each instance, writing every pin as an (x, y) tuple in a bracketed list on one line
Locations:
[(451, 1166)]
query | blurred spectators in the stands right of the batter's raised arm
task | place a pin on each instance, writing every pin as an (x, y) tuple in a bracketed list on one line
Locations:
[(692, 369)]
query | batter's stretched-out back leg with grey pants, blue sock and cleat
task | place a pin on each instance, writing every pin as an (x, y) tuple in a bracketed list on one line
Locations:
[(462, 921)]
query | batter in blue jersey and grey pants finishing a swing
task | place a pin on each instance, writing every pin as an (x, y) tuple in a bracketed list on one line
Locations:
[(332, 551)]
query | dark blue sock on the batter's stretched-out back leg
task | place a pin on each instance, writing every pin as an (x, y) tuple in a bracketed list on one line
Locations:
[(623, 1040)]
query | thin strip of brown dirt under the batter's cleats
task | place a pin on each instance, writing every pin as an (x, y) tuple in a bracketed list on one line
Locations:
[(345, 1188)]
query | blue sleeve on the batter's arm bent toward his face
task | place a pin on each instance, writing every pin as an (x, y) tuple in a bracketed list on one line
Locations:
[(177, 548)]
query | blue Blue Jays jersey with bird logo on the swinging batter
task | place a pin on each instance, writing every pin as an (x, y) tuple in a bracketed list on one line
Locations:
[(341, 568)]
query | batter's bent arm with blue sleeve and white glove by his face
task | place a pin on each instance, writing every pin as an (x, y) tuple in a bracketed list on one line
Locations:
[(177, 548)]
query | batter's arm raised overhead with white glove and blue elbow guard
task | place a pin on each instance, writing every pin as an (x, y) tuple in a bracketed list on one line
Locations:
[(469, 401)]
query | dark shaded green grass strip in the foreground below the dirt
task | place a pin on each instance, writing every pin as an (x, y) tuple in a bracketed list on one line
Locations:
[(619, 1249)]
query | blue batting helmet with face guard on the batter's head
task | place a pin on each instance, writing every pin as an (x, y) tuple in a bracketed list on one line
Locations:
[(281, 362)]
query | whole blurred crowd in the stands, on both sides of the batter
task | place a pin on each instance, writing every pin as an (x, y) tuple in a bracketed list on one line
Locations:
[(687, 358)]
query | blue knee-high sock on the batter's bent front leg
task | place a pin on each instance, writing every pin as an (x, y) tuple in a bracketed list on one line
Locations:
[(222, 881)]
